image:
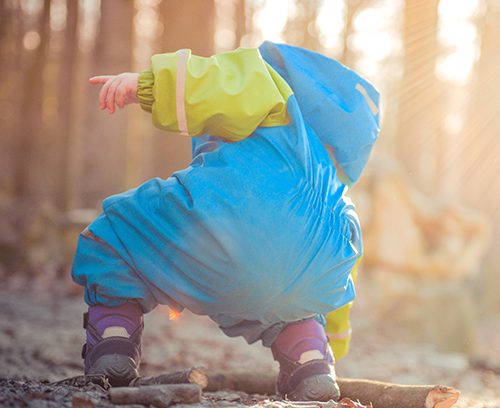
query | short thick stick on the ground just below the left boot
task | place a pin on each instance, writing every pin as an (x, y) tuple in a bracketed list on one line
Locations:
[(160, 396)]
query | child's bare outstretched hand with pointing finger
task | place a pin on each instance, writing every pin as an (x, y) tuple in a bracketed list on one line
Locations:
[(120, 89)]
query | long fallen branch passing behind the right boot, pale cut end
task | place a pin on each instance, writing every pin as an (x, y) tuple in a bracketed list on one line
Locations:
[(380, 394)]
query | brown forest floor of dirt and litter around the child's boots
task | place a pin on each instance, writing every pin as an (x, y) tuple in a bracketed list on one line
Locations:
[(41, 338)]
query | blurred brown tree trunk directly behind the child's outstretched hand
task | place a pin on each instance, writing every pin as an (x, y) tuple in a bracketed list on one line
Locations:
[(104, 149)]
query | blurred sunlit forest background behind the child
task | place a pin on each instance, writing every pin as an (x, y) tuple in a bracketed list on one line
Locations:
[(430, 200)]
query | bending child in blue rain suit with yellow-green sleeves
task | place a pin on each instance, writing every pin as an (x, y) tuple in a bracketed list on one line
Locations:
[(256, 232)]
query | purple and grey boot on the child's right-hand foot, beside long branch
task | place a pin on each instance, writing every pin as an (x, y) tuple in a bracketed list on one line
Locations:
[(306, 363)]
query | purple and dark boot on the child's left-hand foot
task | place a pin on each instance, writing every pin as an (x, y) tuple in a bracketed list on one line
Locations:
[(114, 337)]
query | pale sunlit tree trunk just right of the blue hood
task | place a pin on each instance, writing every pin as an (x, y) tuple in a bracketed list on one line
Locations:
[(420, 96)]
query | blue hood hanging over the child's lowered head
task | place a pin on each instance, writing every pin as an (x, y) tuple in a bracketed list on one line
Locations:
[(339, 105)]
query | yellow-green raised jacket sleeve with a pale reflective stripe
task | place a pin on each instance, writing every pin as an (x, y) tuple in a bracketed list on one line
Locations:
[(227, 95)]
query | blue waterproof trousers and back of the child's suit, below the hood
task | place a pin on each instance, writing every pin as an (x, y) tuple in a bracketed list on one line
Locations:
[(253, 234)]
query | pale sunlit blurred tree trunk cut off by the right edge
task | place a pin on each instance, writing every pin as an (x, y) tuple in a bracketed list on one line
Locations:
[(480, 154)]
